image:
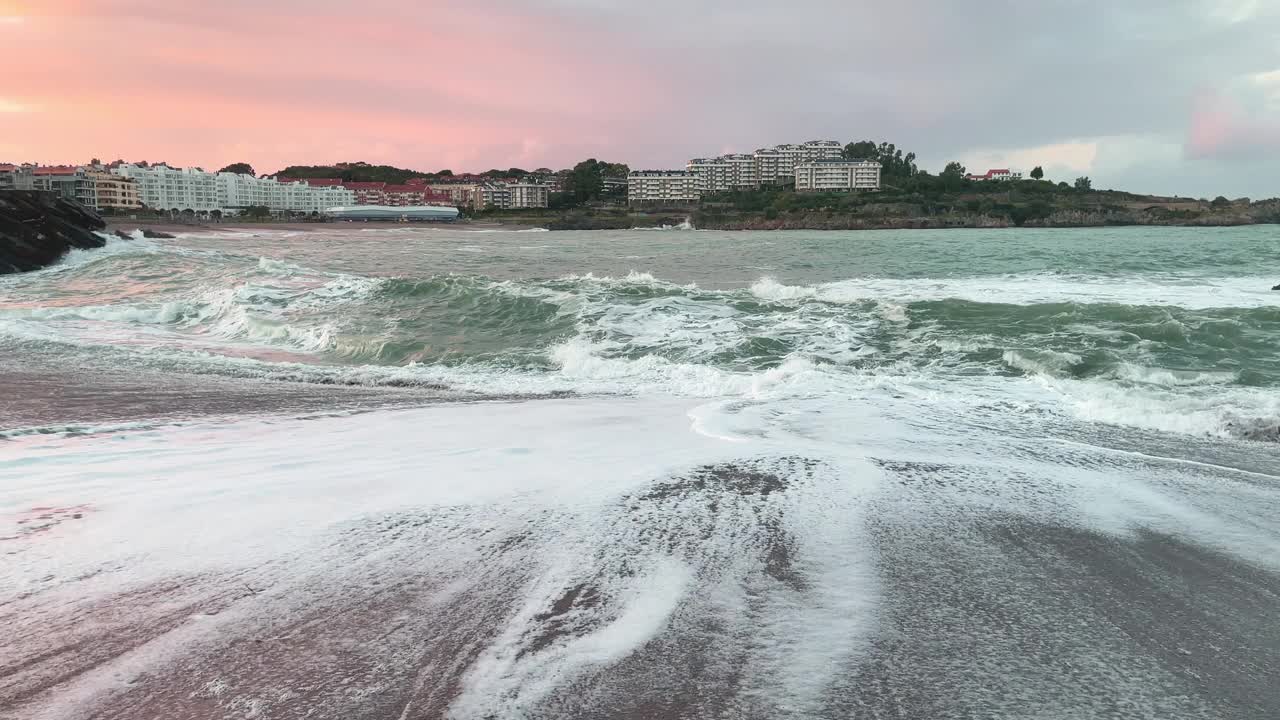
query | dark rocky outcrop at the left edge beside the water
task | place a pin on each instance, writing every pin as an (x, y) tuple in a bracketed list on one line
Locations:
[(38, 229)]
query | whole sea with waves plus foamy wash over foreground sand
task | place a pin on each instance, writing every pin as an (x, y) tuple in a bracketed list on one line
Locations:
[(441, 472)]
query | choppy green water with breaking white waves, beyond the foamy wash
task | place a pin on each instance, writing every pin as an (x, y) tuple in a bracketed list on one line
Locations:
[(1142, 322)]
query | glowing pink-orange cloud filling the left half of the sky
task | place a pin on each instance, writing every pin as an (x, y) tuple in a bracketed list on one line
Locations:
[(427, 85)]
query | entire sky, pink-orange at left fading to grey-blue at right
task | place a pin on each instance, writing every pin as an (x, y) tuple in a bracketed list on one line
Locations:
[(1163, 97)]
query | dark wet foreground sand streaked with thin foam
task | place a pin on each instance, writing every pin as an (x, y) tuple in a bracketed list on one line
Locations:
[(991, 618)]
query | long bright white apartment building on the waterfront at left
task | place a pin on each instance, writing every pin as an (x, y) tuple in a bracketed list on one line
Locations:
[(162, 188)]
